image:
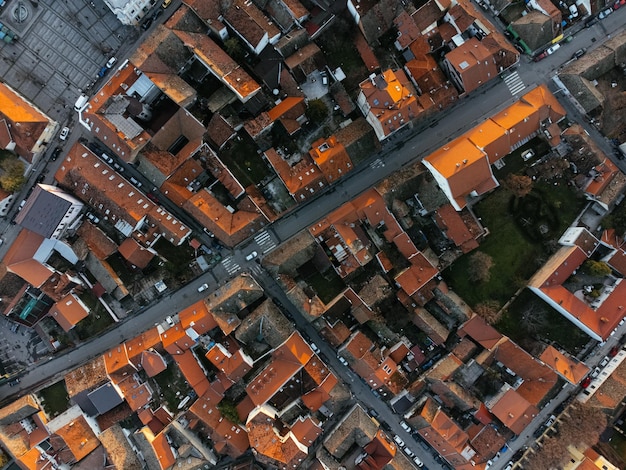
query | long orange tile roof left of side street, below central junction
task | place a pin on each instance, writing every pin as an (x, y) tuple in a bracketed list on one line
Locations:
[(287, 359)]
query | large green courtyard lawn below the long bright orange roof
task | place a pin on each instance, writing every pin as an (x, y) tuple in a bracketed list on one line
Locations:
[(515, 257)]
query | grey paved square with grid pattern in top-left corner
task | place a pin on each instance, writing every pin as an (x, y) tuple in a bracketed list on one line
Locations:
[(61, 47)]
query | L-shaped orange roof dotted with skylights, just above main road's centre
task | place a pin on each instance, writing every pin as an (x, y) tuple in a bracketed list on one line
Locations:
[(302, 180)]
